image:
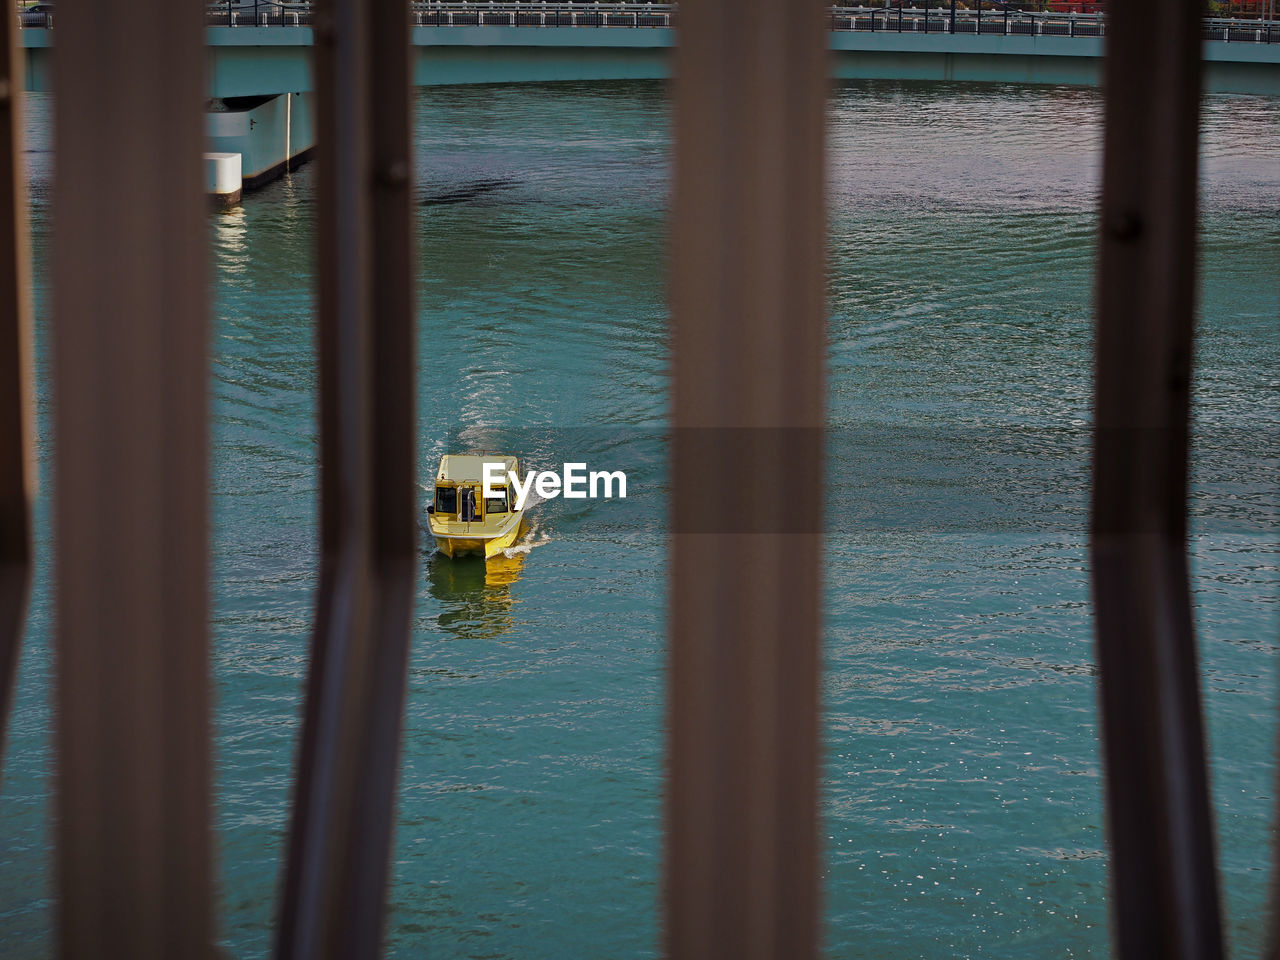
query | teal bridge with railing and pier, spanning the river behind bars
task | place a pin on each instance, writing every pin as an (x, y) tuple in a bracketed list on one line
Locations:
[(260, 67)]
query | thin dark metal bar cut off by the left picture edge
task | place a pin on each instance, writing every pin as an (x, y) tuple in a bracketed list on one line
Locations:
[(17, 418)]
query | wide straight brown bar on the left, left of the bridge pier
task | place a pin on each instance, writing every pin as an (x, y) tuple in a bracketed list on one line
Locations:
[(130, 365)]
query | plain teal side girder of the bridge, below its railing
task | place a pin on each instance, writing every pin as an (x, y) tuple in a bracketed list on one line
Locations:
[(258, 62)]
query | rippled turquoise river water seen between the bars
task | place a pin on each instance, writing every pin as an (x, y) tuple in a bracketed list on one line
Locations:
[(962, 799)]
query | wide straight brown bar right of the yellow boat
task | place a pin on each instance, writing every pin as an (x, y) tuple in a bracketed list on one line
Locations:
[(748, 365)]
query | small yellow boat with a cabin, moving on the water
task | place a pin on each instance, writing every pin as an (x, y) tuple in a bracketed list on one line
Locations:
[(461, 519)]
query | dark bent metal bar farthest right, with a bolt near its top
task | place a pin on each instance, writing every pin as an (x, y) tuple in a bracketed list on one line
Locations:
[(1163, 858)]
